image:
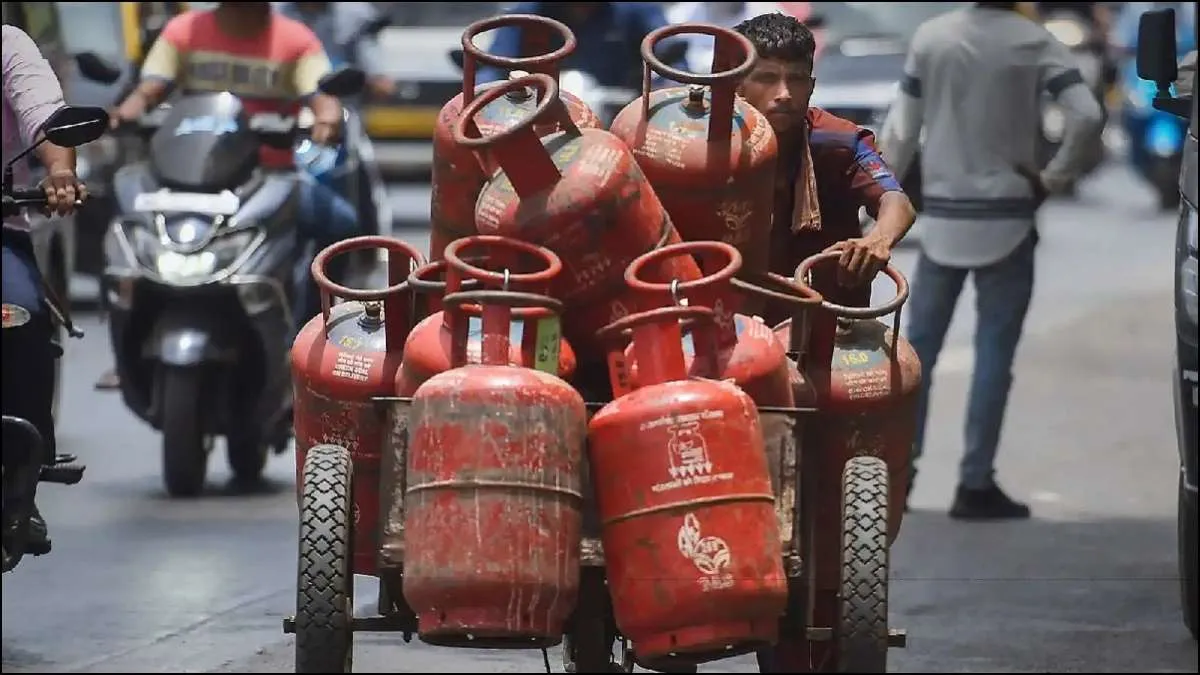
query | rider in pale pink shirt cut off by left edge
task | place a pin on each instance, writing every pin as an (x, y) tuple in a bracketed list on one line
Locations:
[(32, 94)]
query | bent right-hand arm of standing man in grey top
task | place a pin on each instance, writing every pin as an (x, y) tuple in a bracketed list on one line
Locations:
[(1084, 118)]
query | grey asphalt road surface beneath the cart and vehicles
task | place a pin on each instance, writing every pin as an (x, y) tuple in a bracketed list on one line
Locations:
[(139, 583)]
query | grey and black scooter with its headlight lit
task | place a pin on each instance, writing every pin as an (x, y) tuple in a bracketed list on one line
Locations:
[(201, 265)]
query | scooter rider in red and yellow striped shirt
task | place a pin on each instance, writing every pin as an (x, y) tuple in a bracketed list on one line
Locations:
[(269, 61)]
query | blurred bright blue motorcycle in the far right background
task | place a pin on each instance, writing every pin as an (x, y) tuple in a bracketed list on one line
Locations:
[(1156, 138)]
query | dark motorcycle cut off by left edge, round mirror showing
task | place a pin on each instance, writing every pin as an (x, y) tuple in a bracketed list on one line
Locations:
[(25, 464)]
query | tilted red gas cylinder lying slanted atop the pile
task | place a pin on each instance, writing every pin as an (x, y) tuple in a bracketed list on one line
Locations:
[(581, 195)]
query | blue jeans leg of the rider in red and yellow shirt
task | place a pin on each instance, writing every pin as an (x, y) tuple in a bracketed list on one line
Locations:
[(326, 217)]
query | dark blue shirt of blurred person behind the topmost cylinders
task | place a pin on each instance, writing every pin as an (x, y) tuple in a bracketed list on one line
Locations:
[(608, 44)]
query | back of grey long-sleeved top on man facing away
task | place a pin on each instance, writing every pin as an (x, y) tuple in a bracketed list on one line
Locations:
[(983, 75)]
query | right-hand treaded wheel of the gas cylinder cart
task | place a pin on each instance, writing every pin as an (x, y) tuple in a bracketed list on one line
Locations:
[(863, 607)]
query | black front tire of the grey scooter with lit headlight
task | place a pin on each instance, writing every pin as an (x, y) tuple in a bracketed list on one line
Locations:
[(185, 453)]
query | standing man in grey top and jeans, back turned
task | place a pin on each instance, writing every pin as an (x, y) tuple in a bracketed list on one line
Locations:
[(974, 80)]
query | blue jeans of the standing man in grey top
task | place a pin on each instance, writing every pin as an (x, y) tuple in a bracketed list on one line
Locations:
[(1003, 300)]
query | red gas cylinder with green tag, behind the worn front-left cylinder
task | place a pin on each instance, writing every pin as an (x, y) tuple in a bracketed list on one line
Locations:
[(429, 345)]
